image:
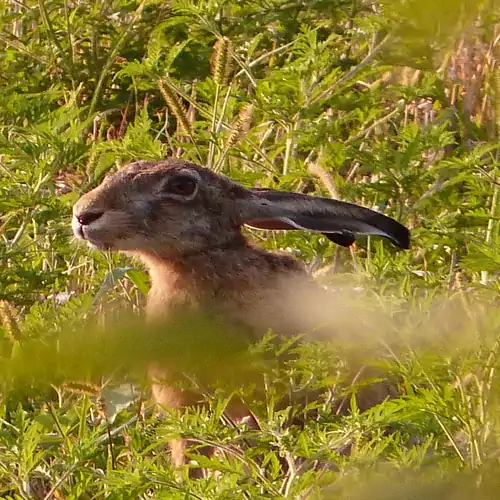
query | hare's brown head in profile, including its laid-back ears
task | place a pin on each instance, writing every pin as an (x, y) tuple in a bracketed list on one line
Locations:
[(173, 208)]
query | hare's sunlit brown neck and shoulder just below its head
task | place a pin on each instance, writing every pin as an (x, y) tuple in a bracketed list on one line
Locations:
[(217, 278)]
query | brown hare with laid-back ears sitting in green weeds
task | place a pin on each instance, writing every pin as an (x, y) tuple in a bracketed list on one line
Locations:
[(185, 223)]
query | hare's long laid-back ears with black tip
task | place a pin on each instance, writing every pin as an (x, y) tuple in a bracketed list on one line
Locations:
[(337, 220)]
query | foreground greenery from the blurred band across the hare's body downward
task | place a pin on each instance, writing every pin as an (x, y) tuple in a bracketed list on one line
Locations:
[(76, 407)]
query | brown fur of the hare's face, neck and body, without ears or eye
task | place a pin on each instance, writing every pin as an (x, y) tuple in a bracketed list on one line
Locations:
[(198, 258)]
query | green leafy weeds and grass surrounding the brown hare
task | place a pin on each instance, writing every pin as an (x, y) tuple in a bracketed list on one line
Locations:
[(391, 104)]
